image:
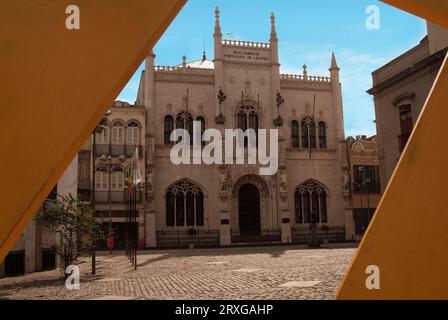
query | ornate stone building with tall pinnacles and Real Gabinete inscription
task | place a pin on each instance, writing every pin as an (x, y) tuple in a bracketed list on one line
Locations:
[(232, 203)]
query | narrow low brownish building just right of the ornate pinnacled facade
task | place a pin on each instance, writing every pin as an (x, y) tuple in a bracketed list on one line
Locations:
[(365, 182)]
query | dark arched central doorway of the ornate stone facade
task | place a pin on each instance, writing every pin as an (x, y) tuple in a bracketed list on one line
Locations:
[(249, 210)]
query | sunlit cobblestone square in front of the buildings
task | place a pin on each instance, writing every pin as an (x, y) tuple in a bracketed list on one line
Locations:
[(277, 273)]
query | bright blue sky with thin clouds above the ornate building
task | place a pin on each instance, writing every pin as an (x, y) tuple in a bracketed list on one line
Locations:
[(308, 31)]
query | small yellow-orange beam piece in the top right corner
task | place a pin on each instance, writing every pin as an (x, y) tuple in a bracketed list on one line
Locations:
[(433, 10)]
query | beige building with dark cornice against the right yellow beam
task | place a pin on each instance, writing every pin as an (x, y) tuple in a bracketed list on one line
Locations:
[(400, 89)]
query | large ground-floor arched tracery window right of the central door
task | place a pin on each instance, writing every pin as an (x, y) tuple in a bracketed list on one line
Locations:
[(311, 203)]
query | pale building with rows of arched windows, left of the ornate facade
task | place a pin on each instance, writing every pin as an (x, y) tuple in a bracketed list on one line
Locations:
[(113, 151)]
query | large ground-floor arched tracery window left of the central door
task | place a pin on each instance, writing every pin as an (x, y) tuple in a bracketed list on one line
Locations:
[(184, 205)]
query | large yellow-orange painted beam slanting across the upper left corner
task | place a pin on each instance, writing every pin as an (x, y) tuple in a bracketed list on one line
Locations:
[(56, 84)]
